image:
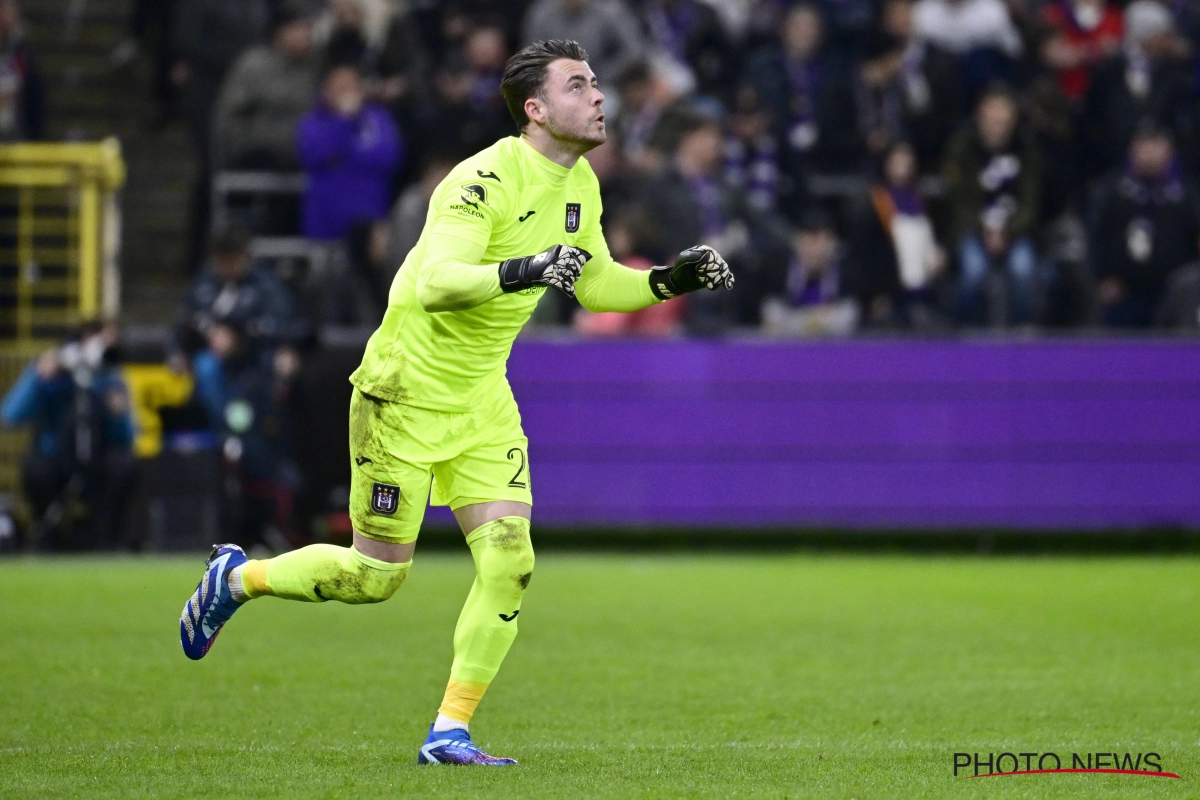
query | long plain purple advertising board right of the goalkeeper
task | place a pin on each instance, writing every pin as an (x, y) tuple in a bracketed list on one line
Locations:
[(1047, 435)]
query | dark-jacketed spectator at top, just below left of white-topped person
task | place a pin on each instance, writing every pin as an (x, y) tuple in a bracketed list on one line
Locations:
[(913, 91)]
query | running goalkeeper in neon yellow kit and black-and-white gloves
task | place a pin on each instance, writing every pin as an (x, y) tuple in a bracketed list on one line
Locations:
[(433, 417)]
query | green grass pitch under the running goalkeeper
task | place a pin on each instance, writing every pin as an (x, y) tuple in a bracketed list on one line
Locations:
[(634, 676)]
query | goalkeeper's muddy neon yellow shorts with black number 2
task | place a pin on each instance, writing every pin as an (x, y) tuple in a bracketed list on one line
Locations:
[(399, 453)]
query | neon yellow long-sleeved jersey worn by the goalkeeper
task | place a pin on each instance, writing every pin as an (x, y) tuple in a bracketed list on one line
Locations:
[(506, 202)]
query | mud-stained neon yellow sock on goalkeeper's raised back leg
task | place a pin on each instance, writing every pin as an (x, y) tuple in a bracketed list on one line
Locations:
[(322, 573)]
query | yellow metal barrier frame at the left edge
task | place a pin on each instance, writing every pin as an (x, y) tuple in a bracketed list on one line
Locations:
[(59, 237)]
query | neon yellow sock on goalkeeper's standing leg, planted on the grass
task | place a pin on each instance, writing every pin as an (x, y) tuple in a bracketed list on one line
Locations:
[(488, 625)]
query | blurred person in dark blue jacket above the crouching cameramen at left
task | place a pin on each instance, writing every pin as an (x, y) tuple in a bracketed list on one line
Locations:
[(233, 291)]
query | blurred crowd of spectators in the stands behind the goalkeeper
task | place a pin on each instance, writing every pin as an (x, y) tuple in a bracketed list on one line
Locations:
[(863, 165)]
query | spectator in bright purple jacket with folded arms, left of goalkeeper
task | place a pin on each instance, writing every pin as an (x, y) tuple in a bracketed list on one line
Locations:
[(351, 151)]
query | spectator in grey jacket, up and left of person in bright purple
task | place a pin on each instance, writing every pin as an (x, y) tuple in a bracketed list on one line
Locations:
[(268, 91)]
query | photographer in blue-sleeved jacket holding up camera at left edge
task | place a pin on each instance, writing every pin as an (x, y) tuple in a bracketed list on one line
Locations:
[(81, 452)]
